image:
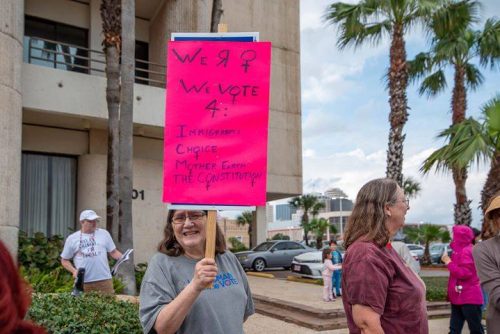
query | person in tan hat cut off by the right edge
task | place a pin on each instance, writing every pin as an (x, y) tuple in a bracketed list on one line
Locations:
[(487, 259)]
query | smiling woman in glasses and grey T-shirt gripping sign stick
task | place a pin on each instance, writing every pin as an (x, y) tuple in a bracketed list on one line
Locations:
[(183, 292)]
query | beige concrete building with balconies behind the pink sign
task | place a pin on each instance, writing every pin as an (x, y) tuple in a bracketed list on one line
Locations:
[(53, 113)]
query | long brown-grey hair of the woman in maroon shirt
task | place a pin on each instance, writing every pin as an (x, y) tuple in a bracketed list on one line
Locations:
[(368, 216)]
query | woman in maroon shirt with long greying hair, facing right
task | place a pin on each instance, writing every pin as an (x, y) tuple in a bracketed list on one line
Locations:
[(381, 294)]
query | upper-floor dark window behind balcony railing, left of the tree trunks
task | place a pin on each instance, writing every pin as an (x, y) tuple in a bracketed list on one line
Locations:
[(54, 44)]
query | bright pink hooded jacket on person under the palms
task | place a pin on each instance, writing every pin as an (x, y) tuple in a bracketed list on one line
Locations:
[(462, 269)]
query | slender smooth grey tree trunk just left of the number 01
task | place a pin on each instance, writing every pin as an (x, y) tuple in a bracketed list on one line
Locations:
[(127, 274)]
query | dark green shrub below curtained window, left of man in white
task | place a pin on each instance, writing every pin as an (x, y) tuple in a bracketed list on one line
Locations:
[(39, 251)]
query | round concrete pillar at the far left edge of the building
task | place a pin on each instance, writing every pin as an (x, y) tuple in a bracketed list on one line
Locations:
[(11, 49)]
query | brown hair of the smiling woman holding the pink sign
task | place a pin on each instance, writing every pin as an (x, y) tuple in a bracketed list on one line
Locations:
[(171, 247)]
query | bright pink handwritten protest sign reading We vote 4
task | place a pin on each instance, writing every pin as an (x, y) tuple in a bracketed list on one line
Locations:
[(216, 123)]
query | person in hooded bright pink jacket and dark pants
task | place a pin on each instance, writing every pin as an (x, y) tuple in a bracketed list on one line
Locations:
[(464, 291)]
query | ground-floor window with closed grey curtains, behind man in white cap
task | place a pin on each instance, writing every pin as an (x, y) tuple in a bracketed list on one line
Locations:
[(48, 194)]
